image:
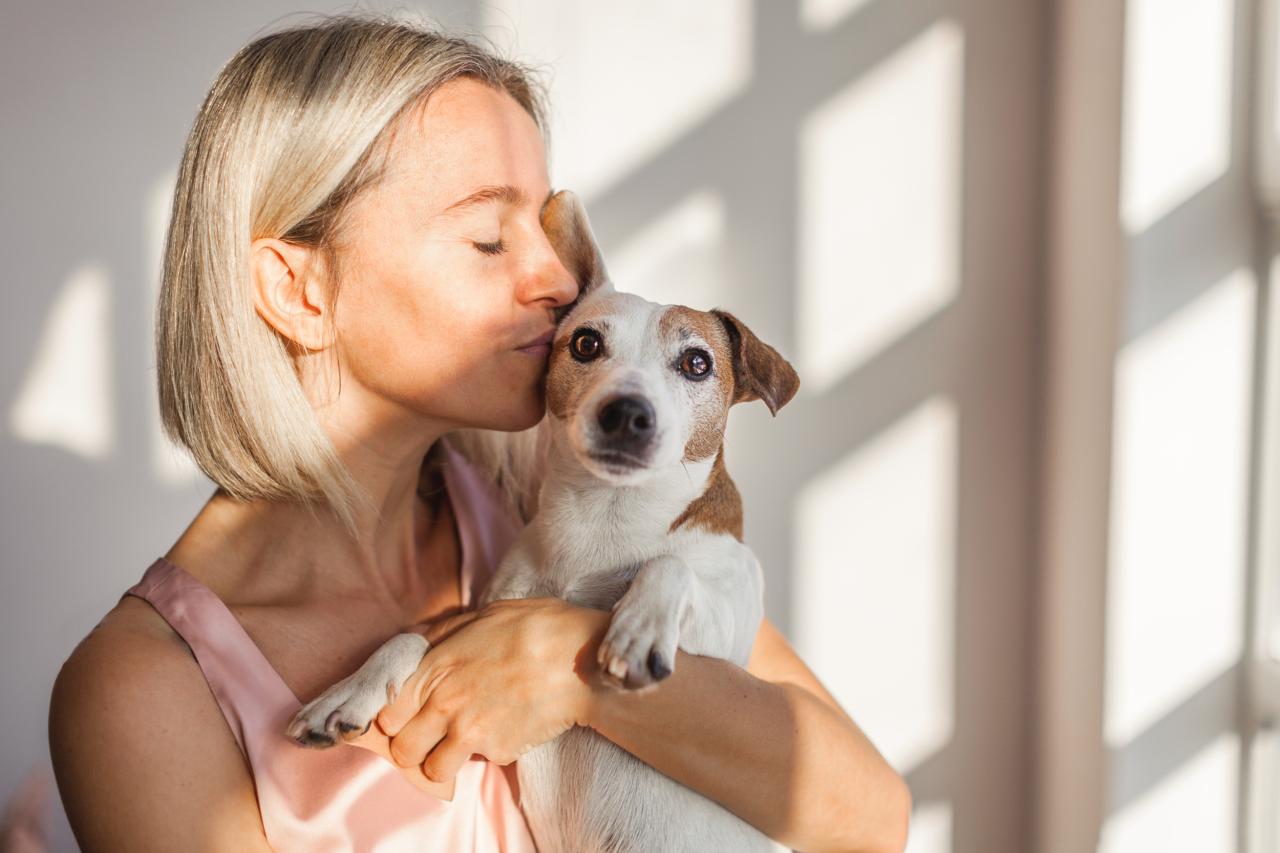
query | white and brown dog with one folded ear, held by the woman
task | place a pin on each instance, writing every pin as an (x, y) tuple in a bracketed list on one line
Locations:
[(637, 514)]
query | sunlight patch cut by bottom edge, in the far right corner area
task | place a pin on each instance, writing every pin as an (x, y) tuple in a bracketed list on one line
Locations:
[(1192, 809)]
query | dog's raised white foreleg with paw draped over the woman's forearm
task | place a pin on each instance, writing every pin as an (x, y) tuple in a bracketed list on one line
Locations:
[(641, 646)]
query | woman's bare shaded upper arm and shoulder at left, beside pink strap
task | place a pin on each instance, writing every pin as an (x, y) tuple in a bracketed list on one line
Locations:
[(144, 758)]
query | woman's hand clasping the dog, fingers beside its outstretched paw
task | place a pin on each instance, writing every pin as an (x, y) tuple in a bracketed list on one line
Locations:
[(496, 682)]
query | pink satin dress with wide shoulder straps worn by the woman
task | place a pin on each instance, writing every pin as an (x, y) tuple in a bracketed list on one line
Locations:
[(348, 799)]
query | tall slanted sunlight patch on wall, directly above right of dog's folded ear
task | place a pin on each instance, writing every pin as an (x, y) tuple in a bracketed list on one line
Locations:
[(880, 207)]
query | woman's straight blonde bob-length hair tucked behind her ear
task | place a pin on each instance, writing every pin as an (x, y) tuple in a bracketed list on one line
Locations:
[(296, 126)]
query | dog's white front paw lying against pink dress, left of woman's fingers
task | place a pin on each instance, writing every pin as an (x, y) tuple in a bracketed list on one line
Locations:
[(349, 708)]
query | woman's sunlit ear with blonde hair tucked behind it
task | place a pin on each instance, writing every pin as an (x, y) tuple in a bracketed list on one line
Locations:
[(287, 293)]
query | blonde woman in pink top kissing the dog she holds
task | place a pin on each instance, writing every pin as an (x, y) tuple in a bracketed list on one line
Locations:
[(406, 172)]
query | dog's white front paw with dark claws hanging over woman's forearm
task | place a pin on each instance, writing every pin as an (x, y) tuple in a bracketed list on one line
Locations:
[(641, 646)]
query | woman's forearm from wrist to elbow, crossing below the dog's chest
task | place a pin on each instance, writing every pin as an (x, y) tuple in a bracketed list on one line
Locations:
[(774, 755)]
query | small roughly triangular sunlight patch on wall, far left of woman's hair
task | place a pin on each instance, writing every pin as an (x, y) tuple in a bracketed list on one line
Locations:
[(67, 396)]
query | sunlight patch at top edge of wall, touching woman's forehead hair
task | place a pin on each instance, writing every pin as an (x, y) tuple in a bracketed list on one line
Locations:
[(629, 79)]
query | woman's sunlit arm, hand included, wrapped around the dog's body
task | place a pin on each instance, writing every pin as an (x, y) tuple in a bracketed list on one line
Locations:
[(775, 750)]
